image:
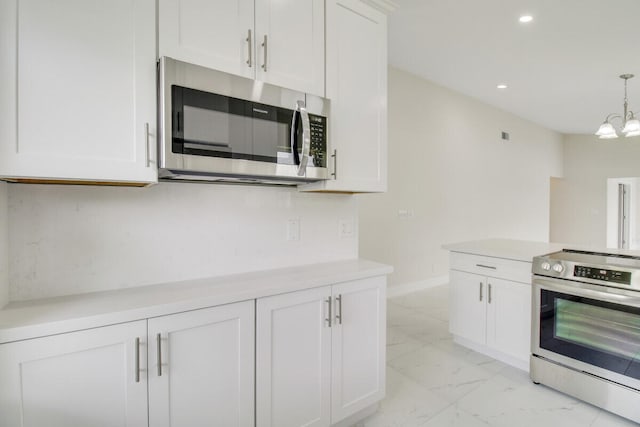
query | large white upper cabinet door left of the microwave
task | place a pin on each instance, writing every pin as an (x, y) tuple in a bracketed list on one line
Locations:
[(77, 97)]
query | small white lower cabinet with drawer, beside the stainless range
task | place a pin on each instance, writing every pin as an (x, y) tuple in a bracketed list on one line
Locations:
[(492, 313)]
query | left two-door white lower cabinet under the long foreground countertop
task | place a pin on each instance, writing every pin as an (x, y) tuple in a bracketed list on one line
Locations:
[(200, 373)]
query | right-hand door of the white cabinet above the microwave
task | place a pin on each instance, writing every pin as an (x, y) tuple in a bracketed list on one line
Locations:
[(290, 44)]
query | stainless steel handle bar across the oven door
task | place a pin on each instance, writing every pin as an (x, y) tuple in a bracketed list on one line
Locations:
[(612, 295)]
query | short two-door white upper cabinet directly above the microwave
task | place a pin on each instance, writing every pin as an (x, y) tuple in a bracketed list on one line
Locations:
[(277, 42)]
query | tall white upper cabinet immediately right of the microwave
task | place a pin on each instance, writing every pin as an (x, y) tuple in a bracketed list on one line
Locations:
[(357, 87)]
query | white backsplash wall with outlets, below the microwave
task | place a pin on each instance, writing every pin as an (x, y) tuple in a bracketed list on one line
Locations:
[(74, 239)]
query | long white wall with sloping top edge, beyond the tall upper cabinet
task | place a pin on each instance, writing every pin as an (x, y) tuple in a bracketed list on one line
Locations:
[(456, 179)]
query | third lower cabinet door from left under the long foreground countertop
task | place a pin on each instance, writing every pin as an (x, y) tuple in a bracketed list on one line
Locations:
[(293, 359)]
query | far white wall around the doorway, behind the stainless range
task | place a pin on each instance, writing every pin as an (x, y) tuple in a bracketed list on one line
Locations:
[(579, 200)]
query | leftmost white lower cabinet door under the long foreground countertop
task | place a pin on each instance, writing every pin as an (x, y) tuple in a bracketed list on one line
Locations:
[(95, 377)]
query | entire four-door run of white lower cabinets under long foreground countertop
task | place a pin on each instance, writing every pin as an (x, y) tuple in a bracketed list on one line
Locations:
[(305, 358)]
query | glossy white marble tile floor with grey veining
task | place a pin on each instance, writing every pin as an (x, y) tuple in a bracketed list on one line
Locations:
[(433, 382)]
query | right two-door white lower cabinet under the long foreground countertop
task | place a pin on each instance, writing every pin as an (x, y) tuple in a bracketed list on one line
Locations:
[(320, 353)]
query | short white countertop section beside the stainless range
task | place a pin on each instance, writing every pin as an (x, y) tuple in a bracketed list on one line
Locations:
[(518, 250)]
